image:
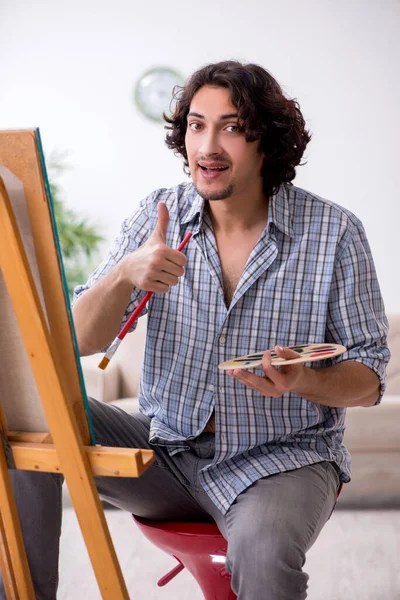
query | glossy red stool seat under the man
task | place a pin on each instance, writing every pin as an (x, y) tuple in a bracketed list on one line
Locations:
[(199, 547)]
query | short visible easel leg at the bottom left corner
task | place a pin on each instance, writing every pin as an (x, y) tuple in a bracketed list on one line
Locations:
[(13, 561)]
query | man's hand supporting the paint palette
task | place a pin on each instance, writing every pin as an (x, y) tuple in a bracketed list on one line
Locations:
[(276, 381)]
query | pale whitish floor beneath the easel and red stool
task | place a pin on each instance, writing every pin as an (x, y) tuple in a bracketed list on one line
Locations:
[(357, 557)]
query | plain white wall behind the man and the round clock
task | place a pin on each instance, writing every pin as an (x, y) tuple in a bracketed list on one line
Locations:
[(70, 67)]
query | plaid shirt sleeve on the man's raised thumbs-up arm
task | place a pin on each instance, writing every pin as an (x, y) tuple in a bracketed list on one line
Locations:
[(134, 232)]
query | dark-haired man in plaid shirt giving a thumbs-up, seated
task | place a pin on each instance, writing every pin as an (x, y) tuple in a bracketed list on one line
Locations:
[(269, 265)]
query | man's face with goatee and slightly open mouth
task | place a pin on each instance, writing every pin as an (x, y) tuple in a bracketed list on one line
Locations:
[(222, 164)]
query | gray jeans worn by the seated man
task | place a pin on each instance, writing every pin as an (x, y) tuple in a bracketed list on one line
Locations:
[(269, 528)]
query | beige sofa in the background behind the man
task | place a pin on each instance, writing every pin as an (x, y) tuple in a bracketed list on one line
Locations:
[(372, 434)]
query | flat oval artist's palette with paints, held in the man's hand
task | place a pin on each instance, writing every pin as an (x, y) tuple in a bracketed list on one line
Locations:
[(308, 353)]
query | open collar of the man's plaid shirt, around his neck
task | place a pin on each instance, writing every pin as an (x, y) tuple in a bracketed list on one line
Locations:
[(279, 211)]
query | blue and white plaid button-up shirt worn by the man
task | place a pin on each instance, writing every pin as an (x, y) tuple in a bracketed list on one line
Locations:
[(310, 278)]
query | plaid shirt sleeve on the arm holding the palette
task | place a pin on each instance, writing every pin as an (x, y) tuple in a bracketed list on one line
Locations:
[(356, 315)]
